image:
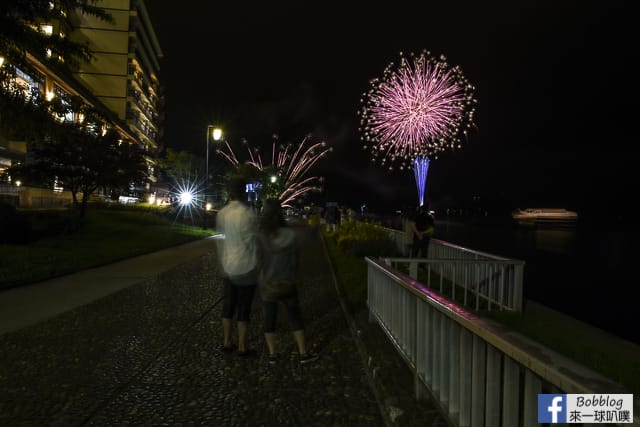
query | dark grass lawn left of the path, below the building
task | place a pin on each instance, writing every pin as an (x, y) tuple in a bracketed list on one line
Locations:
[(106, 235)]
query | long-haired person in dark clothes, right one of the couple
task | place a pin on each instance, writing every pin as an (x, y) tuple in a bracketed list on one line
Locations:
[(279, 280)]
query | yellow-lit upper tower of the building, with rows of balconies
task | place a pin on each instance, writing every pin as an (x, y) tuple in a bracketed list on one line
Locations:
[(124, 73)]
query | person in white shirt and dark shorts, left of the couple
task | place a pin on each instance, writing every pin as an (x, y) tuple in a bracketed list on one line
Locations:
[(239, 256)]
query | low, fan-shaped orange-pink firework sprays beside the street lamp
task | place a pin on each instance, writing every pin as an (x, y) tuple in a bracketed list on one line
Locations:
[(292, 164)]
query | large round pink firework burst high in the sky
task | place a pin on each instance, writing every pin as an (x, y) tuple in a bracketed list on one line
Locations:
[(419, 108)]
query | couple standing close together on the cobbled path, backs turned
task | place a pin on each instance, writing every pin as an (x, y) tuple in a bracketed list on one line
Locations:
[(258, 254)]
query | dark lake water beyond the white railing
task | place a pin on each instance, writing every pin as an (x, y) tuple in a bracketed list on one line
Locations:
[(585, 271)]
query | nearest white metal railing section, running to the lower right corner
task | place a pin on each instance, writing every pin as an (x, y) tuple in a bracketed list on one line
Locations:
[(481, 373)]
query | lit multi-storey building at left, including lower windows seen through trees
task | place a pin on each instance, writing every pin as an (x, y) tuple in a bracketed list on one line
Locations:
[(122, 77)]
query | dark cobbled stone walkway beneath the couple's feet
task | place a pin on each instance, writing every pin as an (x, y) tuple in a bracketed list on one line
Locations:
[(147, 354)]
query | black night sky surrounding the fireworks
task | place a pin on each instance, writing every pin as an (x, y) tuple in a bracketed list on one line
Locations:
[(557, 95)]
